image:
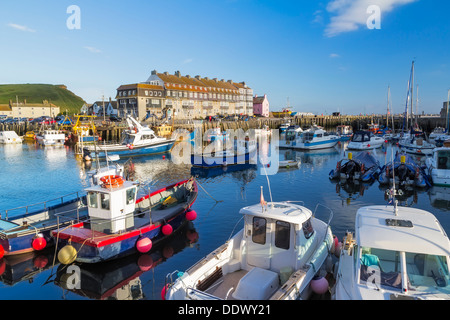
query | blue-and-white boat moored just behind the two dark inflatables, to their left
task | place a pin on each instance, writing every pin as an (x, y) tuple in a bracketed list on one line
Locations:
[(315, 138)]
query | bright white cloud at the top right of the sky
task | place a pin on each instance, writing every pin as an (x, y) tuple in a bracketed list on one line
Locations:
[(349, 15)]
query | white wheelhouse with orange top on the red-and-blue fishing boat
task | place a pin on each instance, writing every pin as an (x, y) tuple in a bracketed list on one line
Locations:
[(111, 205)]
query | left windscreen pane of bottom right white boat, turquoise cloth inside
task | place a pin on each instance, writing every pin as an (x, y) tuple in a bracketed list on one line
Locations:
[(381, 268)]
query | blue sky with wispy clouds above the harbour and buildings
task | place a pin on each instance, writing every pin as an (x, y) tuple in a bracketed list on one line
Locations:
[(318, 54)]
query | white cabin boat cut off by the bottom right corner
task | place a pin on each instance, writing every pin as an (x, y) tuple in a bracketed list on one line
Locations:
[(396, 253)]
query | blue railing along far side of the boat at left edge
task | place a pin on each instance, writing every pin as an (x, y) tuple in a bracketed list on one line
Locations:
[(38, 207)]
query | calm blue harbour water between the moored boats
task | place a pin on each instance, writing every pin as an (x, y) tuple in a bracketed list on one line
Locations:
[(32, 174)]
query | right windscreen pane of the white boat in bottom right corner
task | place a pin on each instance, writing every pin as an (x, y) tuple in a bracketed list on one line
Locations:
[(427, 272)]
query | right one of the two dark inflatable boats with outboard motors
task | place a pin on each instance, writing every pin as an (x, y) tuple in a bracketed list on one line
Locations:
[(406, 172)]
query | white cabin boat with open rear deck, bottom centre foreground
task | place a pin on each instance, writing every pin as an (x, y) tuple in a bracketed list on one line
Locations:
[(276, 256)]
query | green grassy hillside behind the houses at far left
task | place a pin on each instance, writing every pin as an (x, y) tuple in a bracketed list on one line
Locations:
[(36, 93)]
